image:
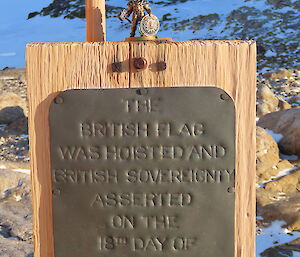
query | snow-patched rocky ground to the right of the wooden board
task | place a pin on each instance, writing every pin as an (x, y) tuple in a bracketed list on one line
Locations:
[(278, 165)]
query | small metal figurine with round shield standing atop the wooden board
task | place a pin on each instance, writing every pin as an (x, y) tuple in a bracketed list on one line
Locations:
[(149, 24)]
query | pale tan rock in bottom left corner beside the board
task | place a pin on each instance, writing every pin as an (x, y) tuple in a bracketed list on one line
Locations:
[(15, 215)]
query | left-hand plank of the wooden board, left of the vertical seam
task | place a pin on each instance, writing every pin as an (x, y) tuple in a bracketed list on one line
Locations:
[(52, 68)]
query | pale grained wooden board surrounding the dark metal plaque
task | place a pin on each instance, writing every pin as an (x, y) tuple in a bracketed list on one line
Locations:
[(229, 65)]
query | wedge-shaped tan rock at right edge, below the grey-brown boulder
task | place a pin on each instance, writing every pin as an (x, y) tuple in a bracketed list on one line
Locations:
[(286, 184)]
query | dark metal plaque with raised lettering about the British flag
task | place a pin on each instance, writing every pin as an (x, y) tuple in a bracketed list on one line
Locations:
[(143, 172)]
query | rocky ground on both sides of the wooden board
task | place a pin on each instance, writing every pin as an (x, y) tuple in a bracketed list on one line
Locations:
[(278, 165)]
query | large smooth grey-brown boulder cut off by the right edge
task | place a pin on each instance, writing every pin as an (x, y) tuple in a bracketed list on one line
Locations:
[(287, 123)]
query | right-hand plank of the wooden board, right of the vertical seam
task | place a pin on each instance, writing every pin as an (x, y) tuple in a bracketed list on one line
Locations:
[(230, 65)]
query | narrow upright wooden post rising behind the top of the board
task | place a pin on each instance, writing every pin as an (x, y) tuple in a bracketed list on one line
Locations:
[(95, 21)]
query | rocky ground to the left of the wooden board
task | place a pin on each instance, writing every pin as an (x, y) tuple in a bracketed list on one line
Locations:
[(15, 201)]
